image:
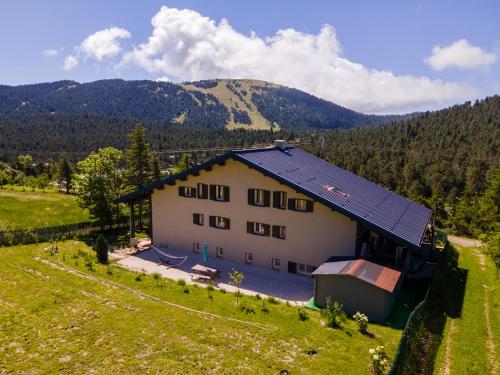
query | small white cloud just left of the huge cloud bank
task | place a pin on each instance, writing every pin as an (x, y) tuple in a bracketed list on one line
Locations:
[(98, 46)]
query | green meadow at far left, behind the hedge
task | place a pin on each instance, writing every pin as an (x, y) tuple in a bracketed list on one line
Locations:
[(28, 209)]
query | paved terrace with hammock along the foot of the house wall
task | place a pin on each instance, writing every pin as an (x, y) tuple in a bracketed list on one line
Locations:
[(258, 280)]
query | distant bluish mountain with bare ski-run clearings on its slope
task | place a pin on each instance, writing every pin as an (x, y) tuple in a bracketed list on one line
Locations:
[(219, 103)]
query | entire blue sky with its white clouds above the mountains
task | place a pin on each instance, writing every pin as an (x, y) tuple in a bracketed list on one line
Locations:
[(373, 56)]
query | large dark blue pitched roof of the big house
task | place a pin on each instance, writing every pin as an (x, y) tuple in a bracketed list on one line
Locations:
[(380, 209)]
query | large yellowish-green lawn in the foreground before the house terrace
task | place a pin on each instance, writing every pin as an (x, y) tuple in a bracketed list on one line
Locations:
[(70, 323)]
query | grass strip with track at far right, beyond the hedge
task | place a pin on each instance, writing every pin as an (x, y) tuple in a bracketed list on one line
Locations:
[(471, 342)]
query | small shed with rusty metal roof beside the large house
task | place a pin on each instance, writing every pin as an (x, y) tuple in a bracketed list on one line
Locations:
[(359, 285)]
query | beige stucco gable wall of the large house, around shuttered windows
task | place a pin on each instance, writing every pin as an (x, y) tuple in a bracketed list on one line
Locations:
[(310, 237)]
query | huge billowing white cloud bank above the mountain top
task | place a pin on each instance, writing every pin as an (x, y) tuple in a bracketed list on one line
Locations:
[(188, 46)]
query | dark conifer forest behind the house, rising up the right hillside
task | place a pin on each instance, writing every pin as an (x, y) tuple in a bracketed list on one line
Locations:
[(447, 159)]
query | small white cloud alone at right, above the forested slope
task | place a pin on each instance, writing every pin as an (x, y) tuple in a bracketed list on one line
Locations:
[(460, 54)]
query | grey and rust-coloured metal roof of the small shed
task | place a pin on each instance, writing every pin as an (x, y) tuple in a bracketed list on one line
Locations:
[(382, 277)]
